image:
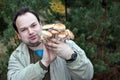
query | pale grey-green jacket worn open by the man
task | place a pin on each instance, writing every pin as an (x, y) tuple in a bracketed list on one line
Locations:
[(19, 67)]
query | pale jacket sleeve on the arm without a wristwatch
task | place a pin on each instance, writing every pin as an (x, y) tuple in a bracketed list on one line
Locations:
[(17, 70)]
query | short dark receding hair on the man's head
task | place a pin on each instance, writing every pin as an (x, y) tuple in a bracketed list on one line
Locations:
[(20, 12)]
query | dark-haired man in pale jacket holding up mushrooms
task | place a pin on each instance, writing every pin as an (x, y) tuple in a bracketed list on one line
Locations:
[(60, 60)]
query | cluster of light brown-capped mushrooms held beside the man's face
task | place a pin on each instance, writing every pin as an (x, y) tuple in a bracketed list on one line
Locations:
[(57, 31)]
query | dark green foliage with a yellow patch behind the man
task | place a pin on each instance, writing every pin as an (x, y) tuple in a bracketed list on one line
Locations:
[(95, 23)]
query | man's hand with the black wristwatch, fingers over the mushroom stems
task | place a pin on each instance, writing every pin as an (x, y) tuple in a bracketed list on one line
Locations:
[(60, 48)]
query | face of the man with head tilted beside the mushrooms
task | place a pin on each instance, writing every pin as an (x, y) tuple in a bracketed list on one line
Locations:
[(29, 29)]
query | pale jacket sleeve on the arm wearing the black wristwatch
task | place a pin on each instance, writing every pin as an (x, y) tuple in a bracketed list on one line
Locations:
[(81, 68)]
